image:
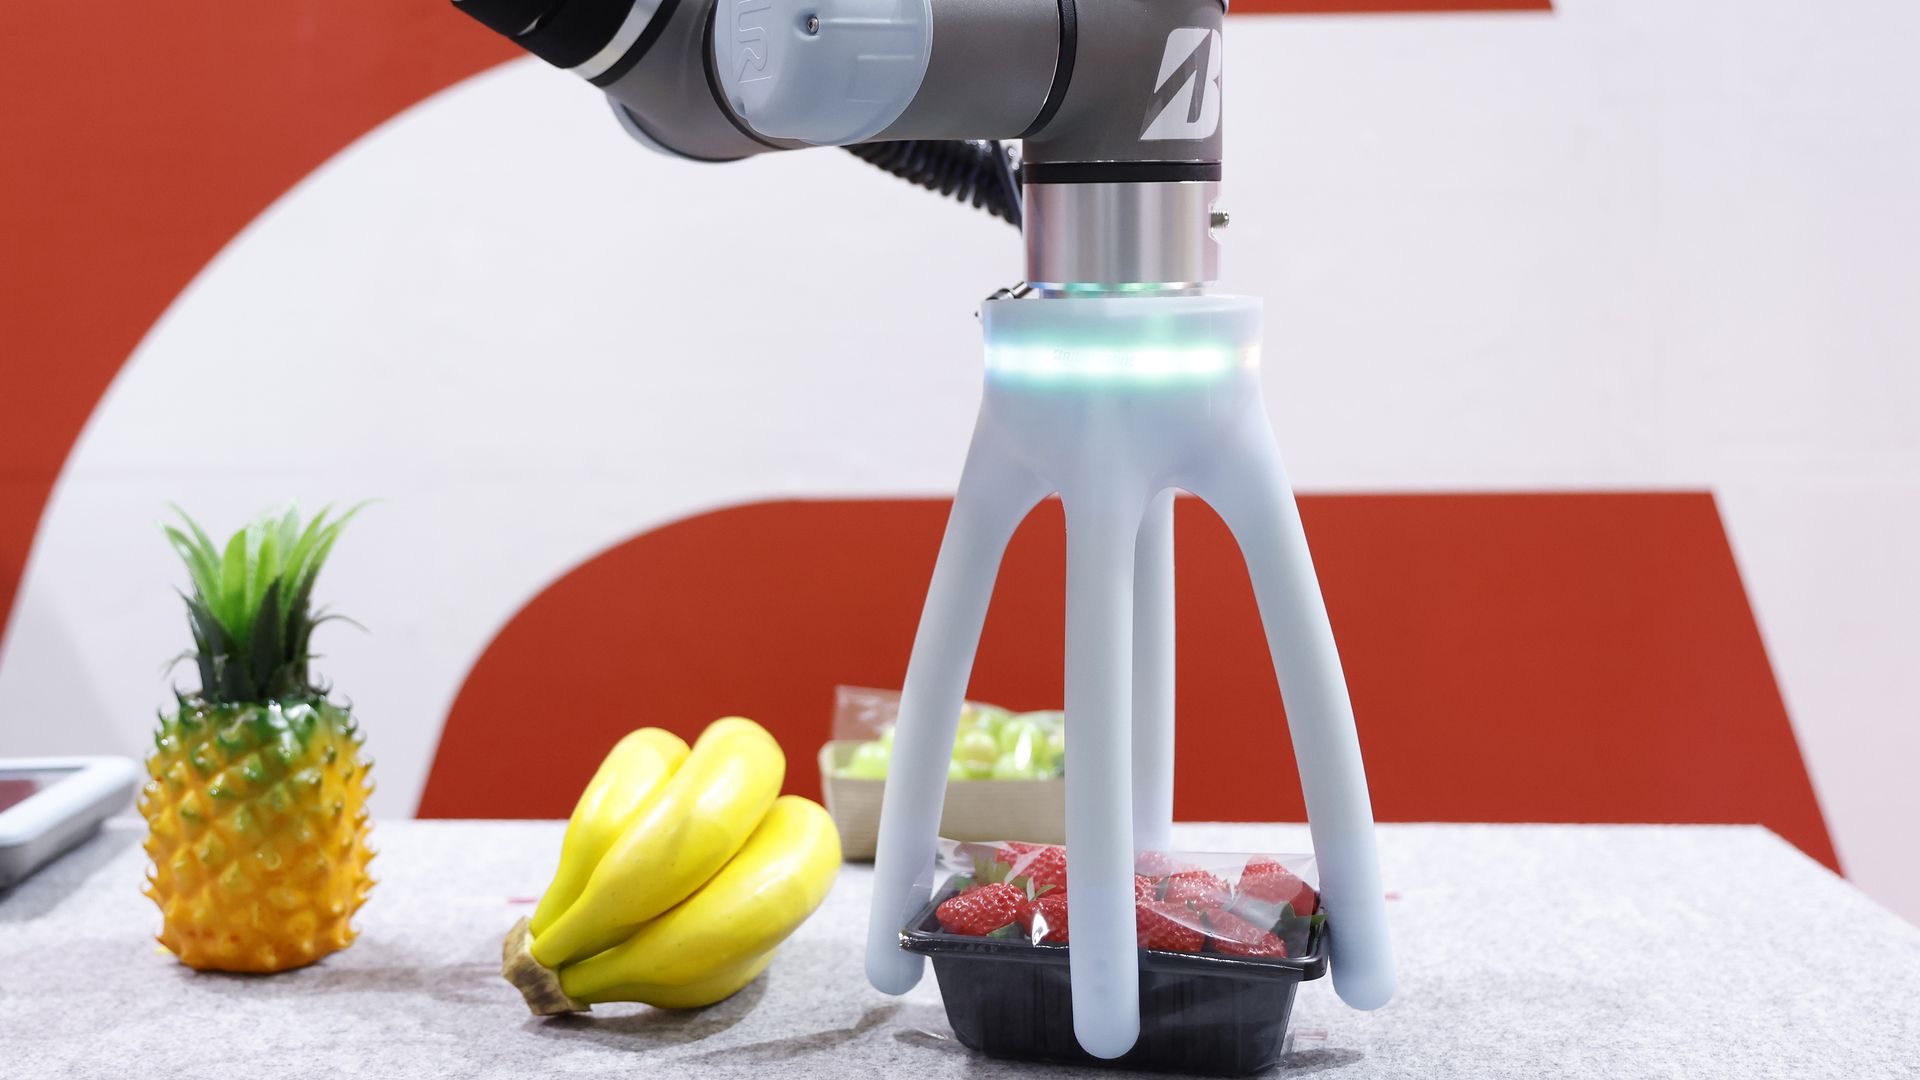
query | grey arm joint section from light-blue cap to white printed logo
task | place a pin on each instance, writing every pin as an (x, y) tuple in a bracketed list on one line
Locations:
[(1080, 80)]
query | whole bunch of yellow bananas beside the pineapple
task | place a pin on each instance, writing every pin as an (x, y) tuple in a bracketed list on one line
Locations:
[(681, 875)]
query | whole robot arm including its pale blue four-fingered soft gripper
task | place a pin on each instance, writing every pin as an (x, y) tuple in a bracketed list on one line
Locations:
[(1118, 107)]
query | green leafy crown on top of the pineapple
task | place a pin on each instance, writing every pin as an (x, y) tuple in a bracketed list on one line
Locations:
[(251, 608)]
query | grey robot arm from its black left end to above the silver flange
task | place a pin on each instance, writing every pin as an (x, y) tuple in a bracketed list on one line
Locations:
[(715, 80)]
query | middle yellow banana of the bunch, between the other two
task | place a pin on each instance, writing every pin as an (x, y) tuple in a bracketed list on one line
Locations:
[(700, 820)]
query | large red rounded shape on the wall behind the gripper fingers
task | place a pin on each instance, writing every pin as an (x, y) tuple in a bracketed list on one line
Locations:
[(1512, 658)]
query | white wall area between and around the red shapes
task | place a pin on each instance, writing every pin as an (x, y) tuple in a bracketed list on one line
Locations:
[(1631, 245)]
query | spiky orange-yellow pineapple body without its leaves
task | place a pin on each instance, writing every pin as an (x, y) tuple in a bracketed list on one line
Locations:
[(258, 833)]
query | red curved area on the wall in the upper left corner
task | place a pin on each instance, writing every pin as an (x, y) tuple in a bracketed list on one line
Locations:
[(135, 141)]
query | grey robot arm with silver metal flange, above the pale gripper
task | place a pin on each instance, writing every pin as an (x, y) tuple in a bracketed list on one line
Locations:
[(1116, 103)]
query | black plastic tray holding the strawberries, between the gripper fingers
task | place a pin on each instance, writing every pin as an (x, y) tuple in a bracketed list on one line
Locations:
[(1199, 1012)]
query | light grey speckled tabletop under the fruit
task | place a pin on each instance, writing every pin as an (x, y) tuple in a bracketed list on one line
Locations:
[(1524, 952)]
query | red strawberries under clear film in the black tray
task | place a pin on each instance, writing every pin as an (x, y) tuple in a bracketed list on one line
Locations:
[(1239, 906)]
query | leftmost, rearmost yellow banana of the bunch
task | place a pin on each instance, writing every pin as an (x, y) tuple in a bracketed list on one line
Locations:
[(633, 773)]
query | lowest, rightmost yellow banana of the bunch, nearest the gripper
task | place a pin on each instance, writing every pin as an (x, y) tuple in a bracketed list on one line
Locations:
[(761, 896)]
